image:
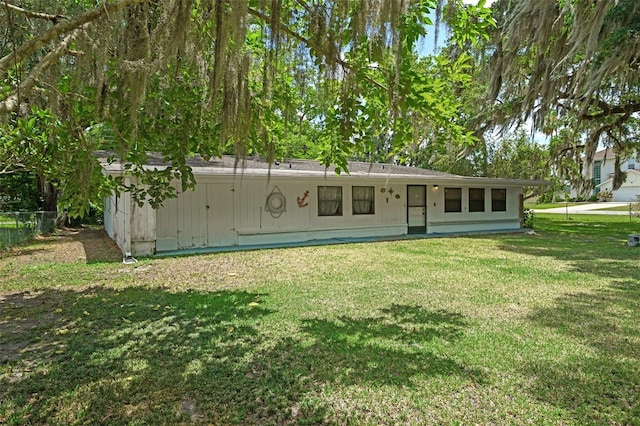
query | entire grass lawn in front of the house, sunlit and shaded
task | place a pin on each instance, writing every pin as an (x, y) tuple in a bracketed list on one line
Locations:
[(500, 329)]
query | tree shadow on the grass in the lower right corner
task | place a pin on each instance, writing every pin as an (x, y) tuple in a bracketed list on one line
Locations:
[(601, 383)]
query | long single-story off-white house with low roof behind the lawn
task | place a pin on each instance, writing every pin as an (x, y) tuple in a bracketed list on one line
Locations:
[(297, 201)]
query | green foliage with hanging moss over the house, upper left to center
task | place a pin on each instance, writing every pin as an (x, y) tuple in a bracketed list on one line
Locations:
[(208, 77)]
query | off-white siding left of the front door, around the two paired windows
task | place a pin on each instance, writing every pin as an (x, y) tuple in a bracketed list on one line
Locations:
[(237, 213)]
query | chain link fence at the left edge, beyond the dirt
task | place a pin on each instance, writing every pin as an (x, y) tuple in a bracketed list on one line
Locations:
[(17, 227)]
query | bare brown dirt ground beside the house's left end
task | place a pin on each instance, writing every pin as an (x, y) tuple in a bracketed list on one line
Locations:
[(88, 245)]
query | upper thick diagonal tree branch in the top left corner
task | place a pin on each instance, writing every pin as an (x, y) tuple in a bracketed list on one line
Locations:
[(61, 28)]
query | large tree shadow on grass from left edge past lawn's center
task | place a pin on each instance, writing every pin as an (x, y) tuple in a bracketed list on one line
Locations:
[(141, 355)]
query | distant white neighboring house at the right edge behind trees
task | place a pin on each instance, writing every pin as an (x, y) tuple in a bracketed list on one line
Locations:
[(603, 170)]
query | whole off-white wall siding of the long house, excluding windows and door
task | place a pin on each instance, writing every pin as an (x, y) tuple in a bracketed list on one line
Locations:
[(226, 211)]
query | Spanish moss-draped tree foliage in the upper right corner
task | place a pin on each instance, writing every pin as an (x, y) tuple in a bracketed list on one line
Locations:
[(573, 68)]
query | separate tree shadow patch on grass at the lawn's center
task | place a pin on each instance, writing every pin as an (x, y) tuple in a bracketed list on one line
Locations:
[(390, 349)]
